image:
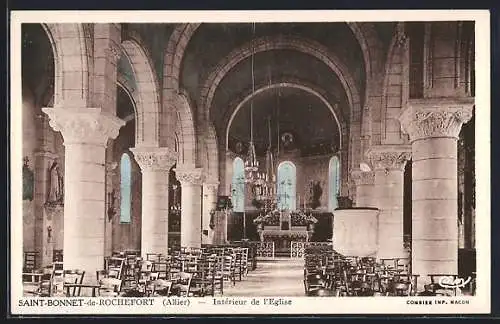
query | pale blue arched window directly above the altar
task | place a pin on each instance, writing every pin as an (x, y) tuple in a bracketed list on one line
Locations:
[(287, 180)]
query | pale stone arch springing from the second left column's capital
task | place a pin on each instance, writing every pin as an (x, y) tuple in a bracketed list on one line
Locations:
[(147, 96)]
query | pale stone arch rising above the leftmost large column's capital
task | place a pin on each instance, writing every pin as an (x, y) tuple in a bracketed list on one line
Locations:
[(71, 64)]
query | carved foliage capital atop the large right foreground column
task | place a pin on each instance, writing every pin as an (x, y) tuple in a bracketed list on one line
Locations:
[(435, 118)]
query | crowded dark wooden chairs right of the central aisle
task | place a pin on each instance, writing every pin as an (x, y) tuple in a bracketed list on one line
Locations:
[(329, 273)]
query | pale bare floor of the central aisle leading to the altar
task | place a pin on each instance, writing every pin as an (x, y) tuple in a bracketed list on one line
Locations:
[(278, 277)]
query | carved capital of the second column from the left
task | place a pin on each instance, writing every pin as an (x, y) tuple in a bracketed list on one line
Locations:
[(154, 158)]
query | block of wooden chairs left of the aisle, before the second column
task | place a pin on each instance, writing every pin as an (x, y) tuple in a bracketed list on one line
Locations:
[(193, 272)]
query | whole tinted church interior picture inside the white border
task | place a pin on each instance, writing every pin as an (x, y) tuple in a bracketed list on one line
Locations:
[(248, 159)]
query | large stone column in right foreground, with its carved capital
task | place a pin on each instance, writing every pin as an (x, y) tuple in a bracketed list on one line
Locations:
[(433, 126)]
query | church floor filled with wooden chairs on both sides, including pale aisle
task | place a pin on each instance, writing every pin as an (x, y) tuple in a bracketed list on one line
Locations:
[(237, 271)]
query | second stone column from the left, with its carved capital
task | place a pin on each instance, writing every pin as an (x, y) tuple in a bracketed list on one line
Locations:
[(155, 163)]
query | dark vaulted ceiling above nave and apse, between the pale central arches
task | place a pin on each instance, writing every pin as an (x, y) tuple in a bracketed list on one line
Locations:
[(302, 113)]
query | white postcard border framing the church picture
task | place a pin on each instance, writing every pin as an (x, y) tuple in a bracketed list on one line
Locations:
[(300, 305)]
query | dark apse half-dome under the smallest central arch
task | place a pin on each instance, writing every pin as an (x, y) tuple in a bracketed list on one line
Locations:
[(300, 113)]
